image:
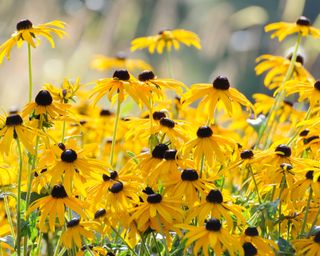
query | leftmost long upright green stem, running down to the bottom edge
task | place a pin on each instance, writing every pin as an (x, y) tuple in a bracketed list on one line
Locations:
[(18, 240)]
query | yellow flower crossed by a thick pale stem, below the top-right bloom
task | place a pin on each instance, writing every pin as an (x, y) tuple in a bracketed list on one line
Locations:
[(277, 67)]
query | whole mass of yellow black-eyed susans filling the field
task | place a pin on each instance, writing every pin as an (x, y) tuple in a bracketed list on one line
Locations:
[(203, 172)]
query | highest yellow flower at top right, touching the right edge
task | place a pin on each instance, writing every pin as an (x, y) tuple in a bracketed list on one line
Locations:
[(284, 29)]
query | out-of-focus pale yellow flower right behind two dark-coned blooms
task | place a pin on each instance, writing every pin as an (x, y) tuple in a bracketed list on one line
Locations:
[(101, 62)]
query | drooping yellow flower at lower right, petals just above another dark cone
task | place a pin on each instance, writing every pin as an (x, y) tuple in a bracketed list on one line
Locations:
[(219, 205)]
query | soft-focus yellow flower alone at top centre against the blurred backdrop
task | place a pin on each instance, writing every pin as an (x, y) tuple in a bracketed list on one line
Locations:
[(166, 38)]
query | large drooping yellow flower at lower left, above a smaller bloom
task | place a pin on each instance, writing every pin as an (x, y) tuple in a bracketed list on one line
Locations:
[(54, 206)]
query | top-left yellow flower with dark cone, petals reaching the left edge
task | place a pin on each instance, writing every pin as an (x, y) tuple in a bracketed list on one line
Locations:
[(27, 32)]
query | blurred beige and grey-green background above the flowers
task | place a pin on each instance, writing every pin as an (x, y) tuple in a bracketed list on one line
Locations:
[(231, 34)]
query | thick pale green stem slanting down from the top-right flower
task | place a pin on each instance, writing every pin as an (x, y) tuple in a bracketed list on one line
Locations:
[(266, 127)]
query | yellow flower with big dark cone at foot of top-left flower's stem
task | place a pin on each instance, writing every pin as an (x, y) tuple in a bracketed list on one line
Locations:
[(44, 105)]
